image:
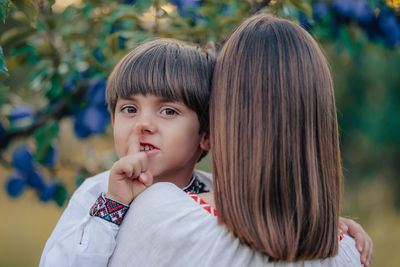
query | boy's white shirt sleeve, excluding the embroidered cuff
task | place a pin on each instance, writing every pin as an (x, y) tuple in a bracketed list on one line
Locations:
[(78, 238)]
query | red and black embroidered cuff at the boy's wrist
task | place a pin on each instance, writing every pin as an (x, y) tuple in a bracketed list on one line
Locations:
[(109, 210)]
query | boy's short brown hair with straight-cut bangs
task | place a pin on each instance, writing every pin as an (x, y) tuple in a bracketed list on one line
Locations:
[(168, 68)]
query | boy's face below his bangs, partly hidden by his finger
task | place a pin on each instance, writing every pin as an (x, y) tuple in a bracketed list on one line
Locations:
[(168, 133)]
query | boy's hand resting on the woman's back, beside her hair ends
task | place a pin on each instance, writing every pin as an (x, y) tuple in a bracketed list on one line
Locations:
[(363, 242)]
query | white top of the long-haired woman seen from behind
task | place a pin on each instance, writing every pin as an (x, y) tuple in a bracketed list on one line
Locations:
[(166, 227)]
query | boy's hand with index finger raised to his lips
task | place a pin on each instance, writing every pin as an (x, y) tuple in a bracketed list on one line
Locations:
[(129, 176)]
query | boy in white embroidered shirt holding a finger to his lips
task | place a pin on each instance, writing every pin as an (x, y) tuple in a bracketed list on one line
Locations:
[(158, 98)]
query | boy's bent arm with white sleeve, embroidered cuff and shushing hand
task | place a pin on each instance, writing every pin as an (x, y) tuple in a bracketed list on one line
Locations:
[(83, 240)]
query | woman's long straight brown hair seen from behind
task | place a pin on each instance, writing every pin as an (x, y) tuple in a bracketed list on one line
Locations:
[(274, 138)]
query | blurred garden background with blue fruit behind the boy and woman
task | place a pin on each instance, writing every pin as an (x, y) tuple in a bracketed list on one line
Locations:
[(55, 57)]
